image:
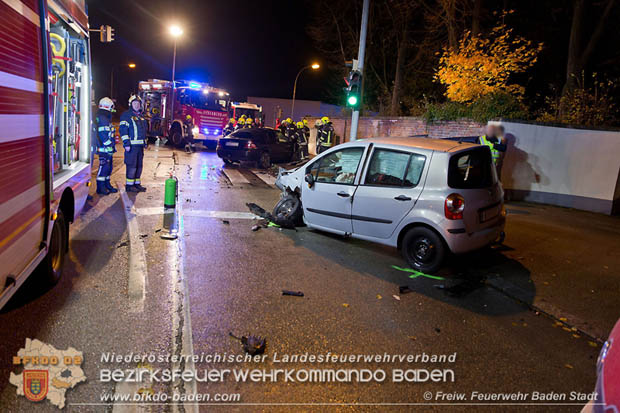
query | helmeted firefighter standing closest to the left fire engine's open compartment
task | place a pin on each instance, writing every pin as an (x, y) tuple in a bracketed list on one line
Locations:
[(105, 146)]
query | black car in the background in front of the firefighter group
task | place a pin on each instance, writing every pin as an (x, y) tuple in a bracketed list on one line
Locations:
[(260, 145)]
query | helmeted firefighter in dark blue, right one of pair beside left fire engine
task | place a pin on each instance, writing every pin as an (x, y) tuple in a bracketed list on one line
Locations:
[(133, 134)]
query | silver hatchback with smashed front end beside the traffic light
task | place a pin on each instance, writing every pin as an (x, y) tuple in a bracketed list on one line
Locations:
[(426, 197)]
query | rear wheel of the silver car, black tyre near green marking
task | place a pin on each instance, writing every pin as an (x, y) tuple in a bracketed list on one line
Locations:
[(423, 249)]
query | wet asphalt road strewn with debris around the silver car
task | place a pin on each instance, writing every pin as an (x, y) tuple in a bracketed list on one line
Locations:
[(499, 313)]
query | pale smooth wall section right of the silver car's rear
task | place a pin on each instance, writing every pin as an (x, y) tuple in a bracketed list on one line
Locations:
[(576, 168)]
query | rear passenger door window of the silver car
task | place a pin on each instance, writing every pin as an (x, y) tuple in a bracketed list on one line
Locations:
[(394, 168)]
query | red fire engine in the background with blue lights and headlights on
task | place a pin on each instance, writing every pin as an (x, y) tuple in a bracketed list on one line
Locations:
[(200, 111)]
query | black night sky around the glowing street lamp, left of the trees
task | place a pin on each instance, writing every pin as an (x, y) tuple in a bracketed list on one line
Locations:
[(250, 48)]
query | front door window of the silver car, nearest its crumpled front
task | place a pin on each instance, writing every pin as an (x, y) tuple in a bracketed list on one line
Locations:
[(339, 167)]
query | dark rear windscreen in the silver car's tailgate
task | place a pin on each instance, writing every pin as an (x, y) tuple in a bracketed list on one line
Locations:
[(471, 169)]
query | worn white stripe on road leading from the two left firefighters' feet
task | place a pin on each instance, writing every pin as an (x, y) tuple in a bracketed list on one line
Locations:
[(137, 255)]
